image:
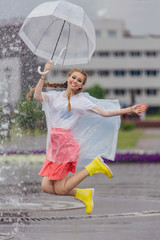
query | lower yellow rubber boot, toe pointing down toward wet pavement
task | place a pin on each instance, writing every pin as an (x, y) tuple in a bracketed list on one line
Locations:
[(86, 196)]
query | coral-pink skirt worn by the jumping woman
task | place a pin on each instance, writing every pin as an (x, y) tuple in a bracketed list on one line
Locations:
[(62, 154)]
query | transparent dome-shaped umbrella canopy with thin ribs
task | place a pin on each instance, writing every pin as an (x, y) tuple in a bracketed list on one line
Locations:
[(59, 31)]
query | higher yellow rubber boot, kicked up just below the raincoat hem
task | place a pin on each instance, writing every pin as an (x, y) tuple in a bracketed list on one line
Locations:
[(97, 166)]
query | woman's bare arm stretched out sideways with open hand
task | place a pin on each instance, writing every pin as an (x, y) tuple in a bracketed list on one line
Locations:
[(137, 109)]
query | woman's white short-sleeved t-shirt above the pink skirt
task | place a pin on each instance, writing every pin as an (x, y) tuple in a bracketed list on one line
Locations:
[(55, 106)]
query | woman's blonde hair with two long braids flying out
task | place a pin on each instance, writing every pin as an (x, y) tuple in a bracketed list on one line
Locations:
[(63, 85)]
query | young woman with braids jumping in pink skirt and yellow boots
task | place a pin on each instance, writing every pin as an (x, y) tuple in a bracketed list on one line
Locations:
[(63, 110)]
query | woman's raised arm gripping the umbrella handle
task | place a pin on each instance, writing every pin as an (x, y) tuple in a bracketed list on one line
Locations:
[(39, 86)]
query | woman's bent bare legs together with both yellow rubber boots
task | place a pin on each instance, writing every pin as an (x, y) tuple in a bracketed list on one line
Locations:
[(66, 186)]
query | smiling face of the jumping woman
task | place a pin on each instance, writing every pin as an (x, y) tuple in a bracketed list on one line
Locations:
[(75, 81)]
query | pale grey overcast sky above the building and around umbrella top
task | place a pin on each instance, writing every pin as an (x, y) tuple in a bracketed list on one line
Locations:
[(142, 17)]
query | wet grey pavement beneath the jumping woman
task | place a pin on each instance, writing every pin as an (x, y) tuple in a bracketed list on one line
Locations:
[(126, 207)]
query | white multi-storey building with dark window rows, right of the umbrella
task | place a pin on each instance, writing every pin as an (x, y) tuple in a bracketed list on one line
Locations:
[(129, 66)]
